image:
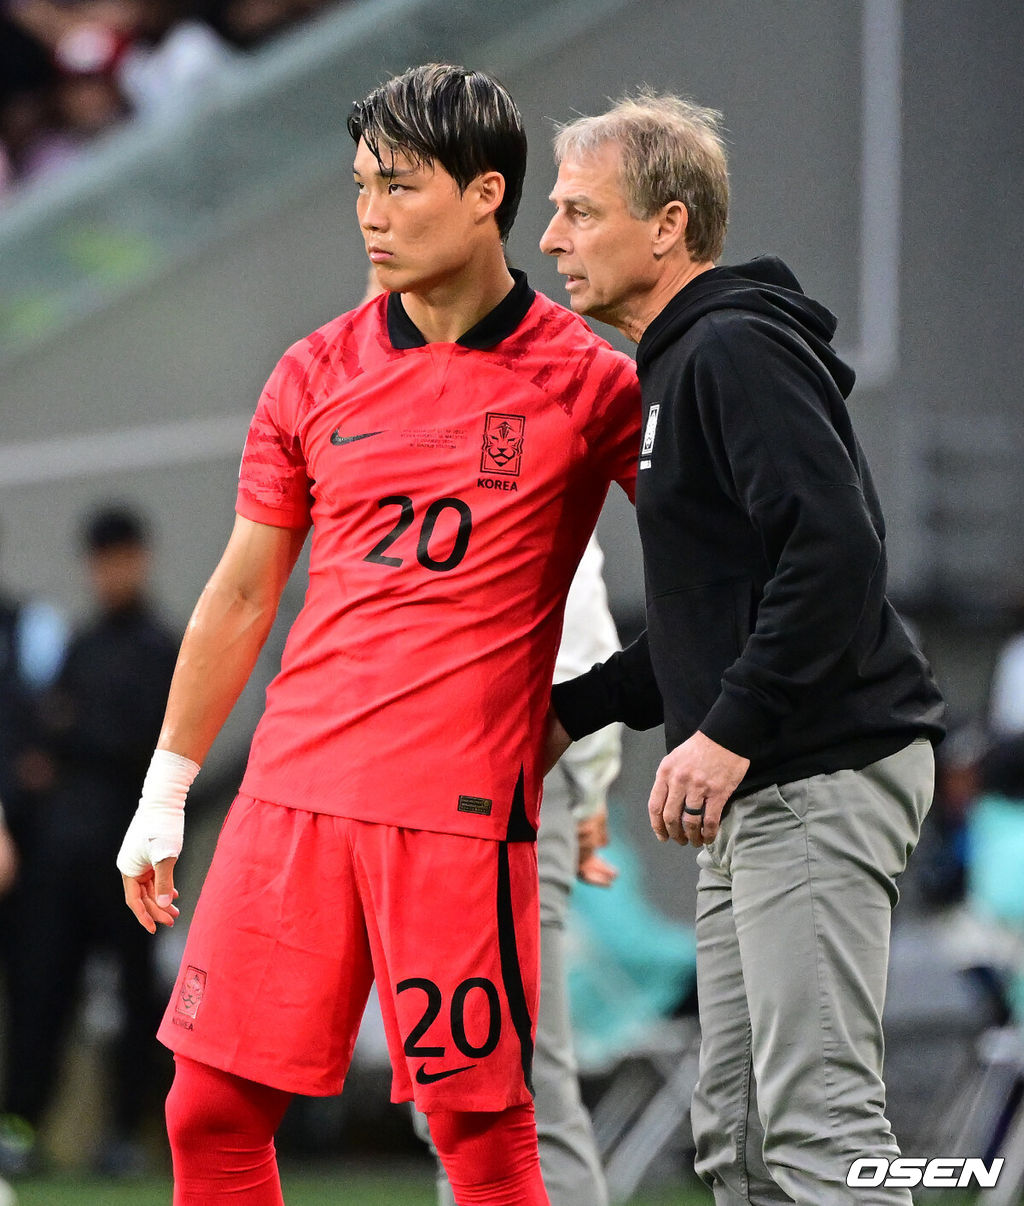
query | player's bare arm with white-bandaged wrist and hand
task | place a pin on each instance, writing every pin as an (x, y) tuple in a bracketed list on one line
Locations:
[(223, 642)]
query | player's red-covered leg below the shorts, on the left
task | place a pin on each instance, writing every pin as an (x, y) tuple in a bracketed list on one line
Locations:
[(221, 1131)]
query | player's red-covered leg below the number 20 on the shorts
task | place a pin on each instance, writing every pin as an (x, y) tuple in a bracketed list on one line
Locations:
[(490, 1158)]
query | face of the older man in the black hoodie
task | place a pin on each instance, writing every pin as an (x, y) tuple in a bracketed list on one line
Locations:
[(604, 251)]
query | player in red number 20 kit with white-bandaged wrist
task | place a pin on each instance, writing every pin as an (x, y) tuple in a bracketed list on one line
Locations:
[(450, 444)]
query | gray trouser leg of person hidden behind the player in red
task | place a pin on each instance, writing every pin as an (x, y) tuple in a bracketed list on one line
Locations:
[(570, 1162)]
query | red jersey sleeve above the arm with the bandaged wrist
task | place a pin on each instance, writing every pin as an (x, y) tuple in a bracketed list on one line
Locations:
[(274, 484)]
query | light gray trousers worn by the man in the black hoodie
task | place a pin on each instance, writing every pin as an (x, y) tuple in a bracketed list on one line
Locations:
[(794, 909)]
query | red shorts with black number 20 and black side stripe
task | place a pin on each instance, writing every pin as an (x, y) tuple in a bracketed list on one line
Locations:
[(302, 911)]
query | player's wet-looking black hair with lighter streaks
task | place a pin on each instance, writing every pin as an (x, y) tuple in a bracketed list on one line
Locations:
[(463, 120)]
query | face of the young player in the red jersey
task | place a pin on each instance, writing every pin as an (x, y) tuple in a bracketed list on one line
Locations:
[(418, 229)]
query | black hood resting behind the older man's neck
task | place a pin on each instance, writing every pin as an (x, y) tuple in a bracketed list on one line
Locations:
[(764, 286)]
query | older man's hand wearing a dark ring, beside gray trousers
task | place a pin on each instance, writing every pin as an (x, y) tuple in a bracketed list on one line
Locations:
[(693, 787)]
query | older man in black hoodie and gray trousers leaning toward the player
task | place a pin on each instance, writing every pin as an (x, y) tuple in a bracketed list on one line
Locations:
[(799, 713)]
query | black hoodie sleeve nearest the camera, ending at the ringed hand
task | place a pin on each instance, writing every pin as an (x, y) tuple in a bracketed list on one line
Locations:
[(781, 440)]
